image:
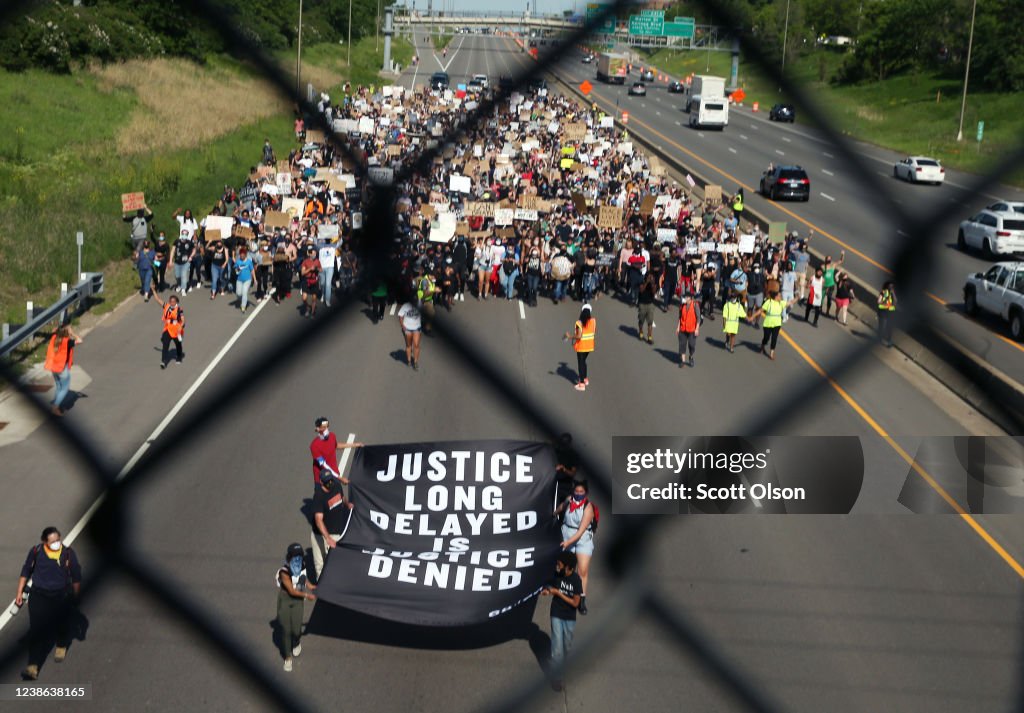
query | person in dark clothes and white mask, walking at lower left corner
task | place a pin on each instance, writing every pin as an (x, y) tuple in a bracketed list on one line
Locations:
[(57, 580)]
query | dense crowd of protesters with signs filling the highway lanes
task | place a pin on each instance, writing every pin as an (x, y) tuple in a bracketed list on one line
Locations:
[(539, 198)]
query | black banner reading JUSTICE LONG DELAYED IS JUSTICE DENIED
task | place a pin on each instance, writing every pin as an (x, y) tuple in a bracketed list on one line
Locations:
[(446, 534)]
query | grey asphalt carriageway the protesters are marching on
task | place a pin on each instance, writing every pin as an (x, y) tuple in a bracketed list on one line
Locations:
[(880, 610)]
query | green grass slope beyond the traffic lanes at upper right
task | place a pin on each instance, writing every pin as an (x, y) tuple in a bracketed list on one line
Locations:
[(910, 114)]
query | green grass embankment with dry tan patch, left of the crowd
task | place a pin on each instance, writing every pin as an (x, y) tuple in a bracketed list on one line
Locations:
[(70, 146)]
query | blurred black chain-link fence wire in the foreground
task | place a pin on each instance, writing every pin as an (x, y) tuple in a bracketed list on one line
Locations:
[(635, 595)]
